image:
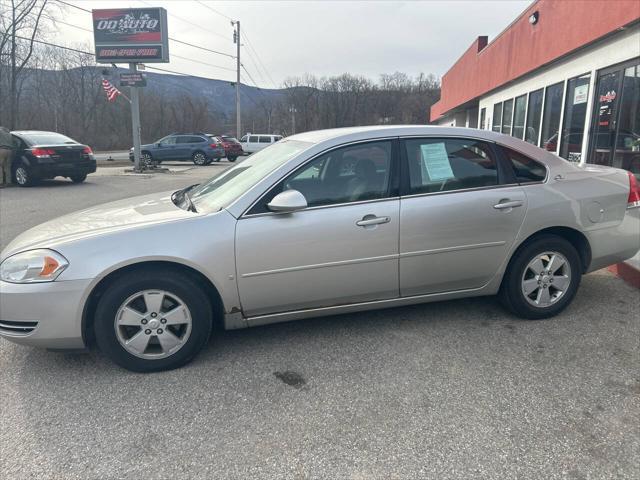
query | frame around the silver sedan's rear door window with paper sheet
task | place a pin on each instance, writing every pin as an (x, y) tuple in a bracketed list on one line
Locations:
[(505, 175)]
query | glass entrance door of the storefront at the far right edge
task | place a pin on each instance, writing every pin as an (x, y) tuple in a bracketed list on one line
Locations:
[(616, 121)]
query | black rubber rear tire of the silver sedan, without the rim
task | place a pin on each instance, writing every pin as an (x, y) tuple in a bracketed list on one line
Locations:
[(511, 293)]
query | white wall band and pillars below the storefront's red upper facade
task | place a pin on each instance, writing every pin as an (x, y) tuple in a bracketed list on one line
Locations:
[(617, 48)]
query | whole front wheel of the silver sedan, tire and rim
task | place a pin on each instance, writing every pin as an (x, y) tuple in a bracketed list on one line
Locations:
[(150, 321)]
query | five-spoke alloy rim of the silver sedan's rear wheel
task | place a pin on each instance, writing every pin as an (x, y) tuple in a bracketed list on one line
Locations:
[(545, 279)]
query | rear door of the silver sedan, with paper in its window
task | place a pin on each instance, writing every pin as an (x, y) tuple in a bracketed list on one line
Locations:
[(461, 211)]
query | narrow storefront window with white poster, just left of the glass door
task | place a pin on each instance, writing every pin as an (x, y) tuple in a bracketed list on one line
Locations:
[(575, 114)]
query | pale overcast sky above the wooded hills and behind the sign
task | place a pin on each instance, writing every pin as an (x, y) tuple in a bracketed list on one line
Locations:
[(319, 37)]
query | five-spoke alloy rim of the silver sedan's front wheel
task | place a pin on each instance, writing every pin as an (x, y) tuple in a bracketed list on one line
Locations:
[(153, 324)]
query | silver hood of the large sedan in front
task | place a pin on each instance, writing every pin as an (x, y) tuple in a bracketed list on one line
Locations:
[(122, 214)]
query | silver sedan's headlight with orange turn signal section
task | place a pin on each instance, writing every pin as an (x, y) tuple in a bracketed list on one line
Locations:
[(33, 266)]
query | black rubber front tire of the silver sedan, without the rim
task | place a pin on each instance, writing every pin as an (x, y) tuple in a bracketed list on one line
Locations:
[(175, 283)]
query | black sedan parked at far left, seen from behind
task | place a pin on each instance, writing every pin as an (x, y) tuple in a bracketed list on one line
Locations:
[(43, 155)]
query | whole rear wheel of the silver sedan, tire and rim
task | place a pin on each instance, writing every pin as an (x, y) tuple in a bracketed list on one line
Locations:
[(542, 278)]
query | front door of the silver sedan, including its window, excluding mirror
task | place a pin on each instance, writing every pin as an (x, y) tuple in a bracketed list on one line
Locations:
[(341, 249)]
